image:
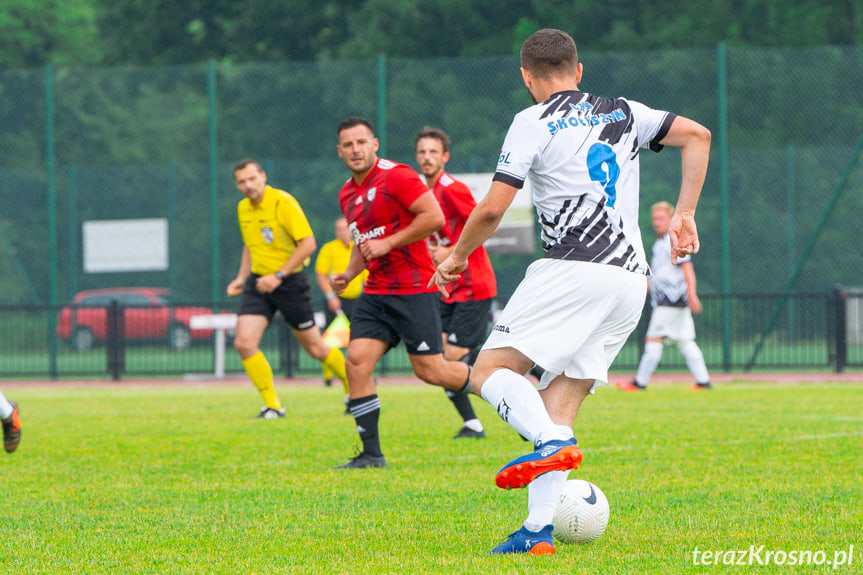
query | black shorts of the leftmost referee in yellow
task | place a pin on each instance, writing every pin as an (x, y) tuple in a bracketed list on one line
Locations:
[(293, 298)]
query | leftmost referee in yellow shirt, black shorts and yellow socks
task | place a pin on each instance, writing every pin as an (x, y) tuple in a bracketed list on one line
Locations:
[(278, 242)]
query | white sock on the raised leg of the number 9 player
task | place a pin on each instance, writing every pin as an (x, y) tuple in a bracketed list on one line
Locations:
[(519, 404)]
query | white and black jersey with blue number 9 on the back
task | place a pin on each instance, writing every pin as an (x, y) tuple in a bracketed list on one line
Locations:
[(581, 155)]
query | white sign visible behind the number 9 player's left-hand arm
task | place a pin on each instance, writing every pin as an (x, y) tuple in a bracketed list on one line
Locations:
[(515, 235)]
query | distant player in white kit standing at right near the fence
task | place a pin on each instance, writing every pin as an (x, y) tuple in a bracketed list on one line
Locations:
[(674, 299)]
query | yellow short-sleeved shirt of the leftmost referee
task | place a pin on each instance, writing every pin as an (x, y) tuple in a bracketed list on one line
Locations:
[(272, 229)]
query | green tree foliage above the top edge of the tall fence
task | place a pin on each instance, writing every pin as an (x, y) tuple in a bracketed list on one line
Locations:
[(150, 32)]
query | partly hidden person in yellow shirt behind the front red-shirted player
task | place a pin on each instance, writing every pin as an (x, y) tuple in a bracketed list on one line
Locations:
[(333, 259)]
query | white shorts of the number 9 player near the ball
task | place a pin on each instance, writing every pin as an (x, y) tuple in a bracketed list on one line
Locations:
[(571, 317)]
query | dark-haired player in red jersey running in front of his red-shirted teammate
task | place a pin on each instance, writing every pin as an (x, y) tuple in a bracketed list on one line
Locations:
[(390, 213)]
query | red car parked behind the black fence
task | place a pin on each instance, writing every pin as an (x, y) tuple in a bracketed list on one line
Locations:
[(148, 316)]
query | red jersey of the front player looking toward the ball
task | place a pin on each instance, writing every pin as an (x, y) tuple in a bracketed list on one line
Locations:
[(377, 208)]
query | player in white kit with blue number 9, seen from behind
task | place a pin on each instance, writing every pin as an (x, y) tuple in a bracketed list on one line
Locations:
[(577, 305)]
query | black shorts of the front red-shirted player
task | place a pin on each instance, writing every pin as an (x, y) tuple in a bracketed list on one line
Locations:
[(414, 319)]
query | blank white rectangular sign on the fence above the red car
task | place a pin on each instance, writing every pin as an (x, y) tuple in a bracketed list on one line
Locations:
[(125, 245)]
